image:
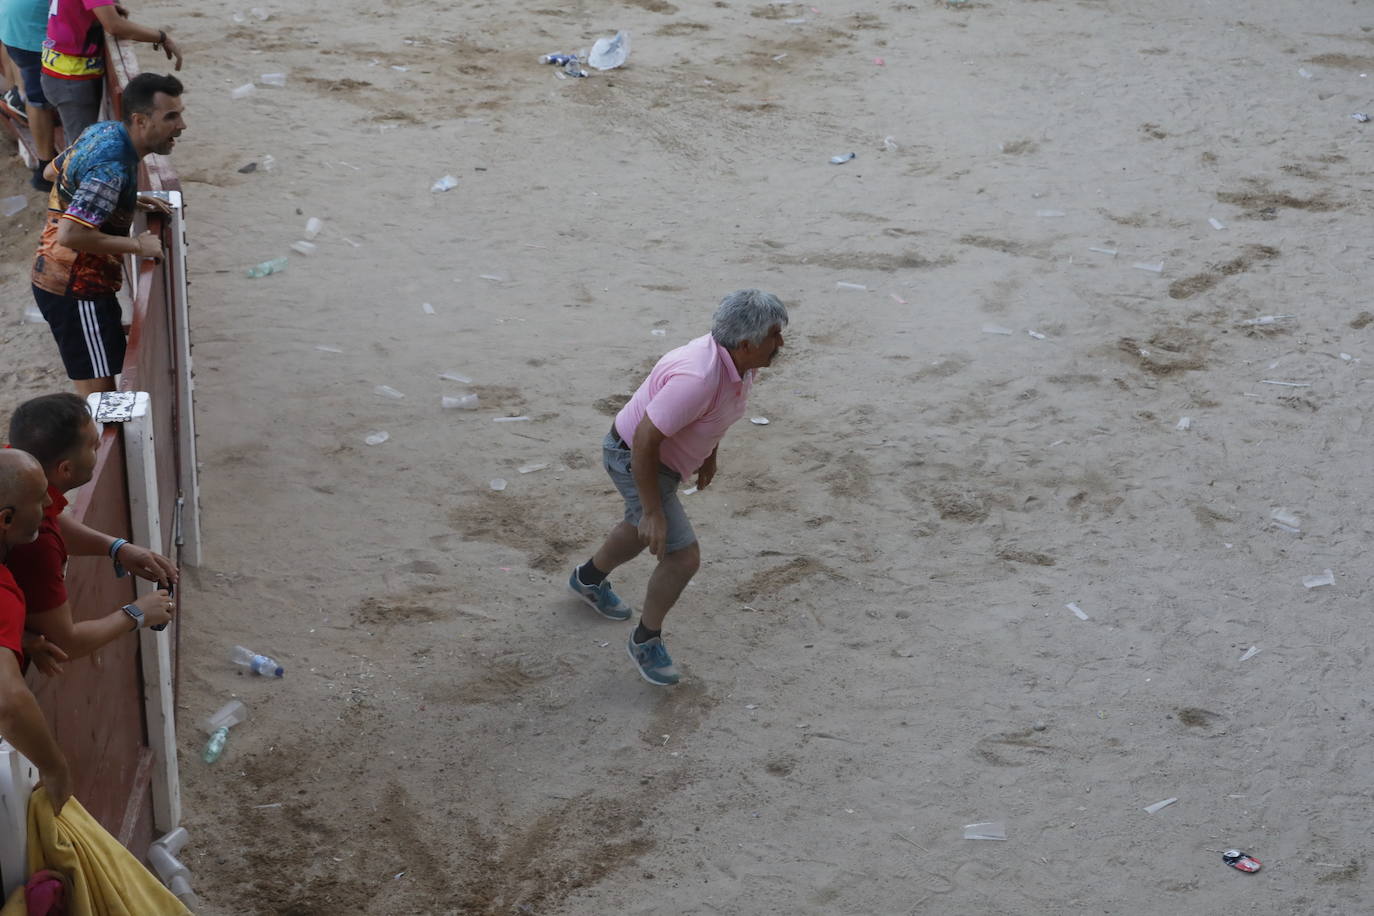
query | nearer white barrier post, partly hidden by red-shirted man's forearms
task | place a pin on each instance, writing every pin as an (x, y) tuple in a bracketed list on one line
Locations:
[(155, 646)]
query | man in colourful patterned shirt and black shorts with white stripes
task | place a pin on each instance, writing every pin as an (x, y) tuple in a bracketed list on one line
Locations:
[(91, 211)]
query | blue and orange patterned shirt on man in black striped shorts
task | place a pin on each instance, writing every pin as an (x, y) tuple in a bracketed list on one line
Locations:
[(98, 187)]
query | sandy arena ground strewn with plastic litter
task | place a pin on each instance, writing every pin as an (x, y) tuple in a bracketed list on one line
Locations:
[(877, 648)]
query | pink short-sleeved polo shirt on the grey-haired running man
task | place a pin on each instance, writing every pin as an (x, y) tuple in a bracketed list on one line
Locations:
[(693, 395)]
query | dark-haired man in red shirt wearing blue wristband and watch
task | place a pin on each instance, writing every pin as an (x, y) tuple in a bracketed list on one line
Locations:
[(58, 432)]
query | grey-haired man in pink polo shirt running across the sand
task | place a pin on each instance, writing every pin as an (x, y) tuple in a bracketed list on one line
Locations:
[(673, 429)]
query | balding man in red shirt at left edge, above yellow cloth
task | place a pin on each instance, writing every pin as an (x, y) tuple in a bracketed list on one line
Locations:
[(24, 496)]
